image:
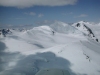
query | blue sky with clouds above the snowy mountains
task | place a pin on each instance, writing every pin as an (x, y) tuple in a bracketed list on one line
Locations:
[(33, 12)]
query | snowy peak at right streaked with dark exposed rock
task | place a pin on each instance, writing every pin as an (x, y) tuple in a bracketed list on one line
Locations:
[(83, 27)]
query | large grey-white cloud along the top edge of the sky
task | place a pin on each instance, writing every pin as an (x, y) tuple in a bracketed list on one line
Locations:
[(30, 3)]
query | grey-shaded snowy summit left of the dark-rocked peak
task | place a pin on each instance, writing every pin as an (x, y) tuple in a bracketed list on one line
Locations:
[(62, 27)]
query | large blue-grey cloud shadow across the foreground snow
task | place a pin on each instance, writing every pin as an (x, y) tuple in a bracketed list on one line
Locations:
[(30, 64)]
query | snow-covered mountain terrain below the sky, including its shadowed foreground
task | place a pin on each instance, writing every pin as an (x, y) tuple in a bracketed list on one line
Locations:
[(60, 45)]
